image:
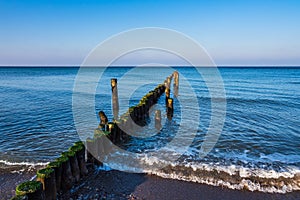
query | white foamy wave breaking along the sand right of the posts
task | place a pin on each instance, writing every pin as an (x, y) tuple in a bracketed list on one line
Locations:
[(232, 176)]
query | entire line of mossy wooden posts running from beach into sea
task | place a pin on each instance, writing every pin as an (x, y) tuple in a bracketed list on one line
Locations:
[(65, 171)]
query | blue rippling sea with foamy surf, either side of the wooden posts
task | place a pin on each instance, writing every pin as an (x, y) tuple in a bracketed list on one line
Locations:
[(253, 140)]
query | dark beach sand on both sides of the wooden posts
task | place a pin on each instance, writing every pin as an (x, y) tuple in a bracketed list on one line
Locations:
[(115, 184)]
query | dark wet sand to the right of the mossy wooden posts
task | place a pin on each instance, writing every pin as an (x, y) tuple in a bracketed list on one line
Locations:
[(122, 185)]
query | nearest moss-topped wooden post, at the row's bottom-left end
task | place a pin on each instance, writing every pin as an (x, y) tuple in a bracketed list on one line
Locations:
[(31, 189)]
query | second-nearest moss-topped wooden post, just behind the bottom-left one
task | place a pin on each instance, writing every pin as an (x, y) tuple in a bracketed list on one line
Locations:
[(47, 177)]
